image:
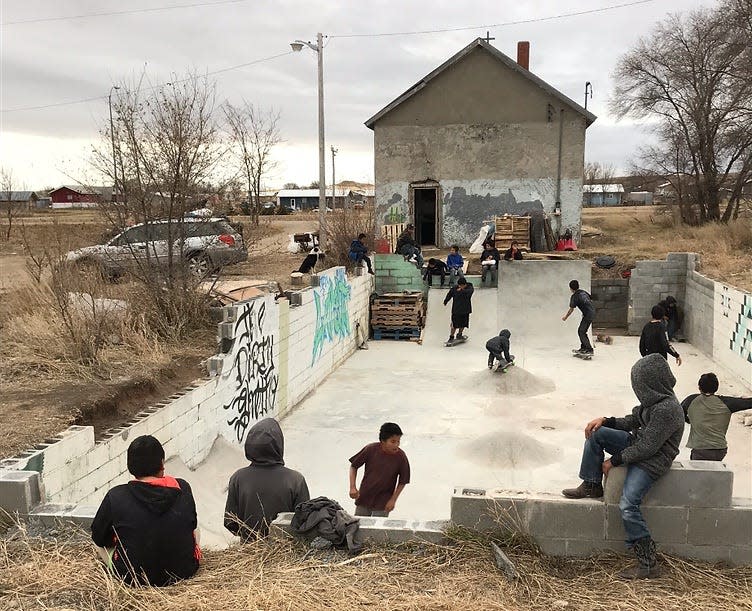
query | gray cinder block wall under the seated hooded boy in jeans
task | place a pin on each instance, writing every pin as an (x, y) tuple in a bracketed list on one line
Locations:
[(689, 512)]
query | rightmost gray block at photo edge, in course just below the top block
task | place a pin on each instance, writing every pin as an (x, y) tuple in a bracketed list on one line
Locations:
[(731, 526)]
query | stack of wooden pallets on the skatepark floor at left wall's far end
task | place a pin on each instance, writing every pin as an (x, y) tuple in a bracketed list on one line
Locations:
[(397, 315)]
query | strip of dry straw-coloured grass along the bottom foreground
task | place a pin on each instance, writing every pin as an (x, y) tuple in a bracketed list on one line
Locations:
[(43, 574)]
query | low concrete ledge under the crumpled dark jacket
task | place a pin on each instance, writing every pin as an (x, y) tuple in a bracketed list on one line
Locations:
[(381, 530)]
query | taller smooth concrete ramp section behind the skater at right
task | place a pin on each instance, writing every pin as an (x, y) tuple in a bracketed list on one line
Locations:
[(534, 295)]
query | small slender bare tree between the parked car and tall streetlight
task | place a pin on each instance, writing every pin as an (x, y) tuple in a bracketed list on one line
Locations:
[(255, 133)]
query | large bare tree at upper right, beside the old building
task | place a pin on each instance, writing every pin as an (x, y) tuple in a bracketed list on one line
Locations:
[(692, 75)]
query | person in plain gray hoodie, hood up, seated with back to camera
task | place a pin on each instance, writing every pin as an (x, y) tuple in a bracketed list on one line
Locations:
[(265, 488)]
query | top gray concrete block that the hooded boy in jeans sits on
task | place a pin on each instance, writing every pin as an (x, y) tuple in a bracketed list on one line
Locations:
[(688, 483)]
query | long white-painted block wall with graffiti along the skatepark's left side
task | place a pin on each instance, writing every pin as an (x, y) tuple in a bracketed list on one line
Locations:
[(276, 352)]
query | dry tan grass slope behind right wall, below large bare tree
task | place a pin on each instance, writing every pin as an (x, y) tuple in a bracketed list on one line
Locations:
[(651, 232)]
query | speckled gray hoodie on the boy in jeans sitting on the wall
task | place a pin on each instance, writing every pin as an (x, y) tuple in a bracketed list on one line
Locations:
[(656, 424)]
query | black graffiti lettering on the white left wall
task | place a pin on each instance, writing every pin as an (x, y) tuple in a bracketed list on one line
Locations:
[(256, 378)]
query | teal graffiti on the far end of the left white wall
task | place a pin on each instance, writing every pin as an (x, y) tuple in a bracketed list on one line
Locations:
[(332, 299)]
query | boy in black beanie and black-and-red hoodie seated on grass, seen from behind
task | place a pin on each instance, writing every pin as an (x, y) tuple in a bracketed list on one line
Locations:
[(146, 526)]
